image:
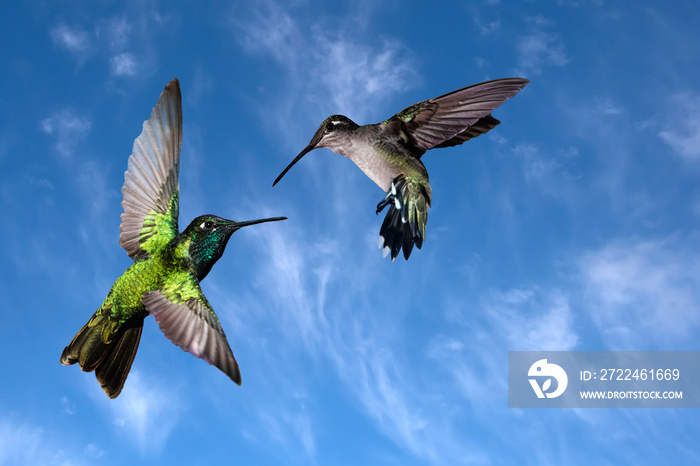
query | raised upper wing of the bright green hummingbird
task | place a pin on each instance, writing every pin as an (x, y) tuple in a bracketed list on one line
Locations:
[(151, 187)]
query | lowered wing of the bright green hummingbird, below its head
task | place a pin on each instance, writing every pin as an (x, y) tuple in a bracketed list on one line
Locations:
[(188, 320)]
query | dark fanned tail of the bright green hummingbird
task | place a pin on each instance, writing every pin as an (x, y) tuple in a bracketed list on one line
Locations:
[(94, 348)]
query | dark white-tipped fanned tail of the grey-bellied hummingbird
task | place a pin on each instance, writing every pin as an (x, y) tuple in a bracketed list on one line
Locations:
[(404, 224)]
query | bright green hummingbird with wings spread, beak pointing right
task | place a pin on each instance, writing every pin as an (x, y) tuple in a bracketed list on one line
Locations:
[(168, 265)]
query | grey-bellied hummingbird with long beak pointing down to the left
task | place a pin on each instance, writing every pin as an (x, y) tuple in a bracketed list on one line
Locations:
[(389, 153)]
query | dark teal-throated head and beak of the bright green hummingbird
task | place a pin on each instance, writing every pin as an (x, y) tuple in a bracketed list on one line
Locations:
[(208, 236)]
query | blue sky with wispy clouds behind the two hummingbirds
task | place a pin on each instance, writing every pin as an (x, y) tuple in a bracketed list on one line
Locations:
[(574, 225)]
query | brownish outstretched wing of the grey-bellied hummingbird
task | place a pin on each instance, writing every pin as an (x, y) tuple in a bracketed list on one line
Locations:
[(456, 117)]
